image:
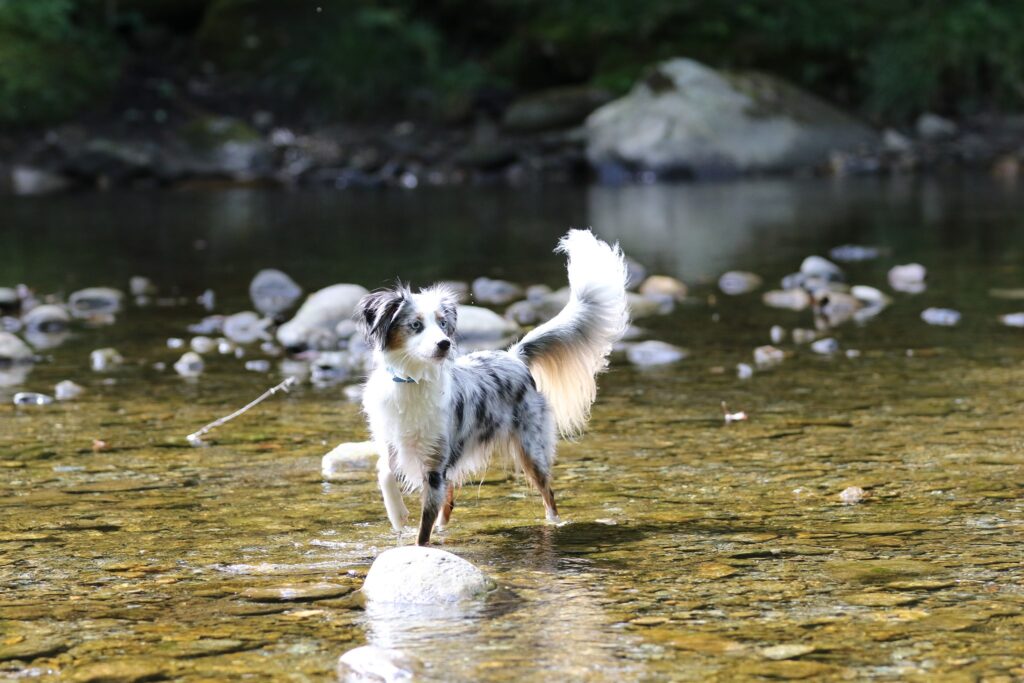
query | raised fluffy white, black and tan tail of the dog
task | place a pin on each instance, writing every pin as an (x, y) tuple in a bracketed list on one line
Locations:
[(566, 354)]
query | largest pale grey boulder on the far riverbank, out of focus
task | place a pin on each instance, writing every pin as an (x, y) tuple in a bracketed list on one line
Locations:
[(690, 119)]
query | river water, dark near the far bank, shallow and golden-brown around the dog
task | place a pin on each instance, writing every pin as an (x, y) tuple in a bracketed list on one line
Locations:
[(695, 549)]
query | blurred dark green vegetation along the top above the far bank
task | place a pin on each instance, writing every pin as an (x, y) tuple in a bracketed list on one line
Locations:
[(889, 60)]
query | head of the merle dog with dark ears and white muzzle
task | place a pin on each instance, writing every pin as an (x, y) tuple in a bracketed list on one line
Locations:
[(421, 326)]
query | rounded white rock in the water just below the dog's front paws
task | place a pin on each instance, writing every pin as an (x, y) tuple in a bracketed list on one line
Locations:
[(417, 576)]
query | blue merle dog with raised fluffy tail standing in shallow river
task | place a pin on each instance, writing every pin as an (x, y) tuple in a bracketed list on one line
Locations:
[(437, 417)]
